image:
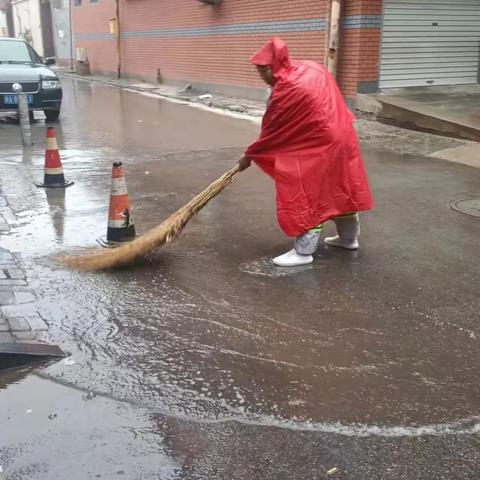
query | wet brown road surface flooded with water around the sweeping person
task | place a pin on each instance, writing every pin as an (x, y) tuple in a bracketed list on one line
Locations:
[(211, 363)]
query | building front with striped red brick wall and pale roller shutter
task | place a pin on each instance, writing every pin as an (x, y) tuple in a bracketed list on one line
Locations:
[(383, 43)]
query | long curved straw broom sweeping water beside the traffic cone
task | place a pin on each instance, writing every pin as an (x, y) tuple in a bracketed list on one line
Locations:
[(166, 232)]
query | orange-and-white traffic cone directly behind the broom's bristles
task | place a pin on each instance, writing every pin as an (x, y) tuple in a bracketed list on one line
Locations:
[(120, 221)]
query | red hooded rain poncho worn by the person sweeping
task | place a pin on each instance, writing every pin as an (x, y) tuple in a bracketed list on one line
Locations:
[(308, 144)]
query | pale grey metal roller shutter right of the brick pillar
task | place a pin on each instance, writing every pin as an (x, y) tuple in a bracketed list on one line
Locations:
[(430, 42)]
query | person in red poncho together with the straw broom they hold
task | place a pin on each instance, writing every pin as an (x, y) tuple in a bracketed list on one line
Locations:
[(307, 145)]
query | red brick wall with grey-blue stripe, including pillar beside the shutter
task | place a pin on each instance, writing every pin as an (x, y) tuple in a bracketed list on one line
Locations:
[(192, 42)]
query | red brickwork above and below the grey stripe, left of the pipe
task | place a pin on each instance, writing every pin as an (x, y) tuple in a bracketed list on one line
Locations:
[(209, 59)]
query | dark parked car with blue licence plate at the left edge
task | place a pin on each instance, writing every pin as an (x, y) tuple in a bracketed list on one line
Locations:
[(19, 63)]
